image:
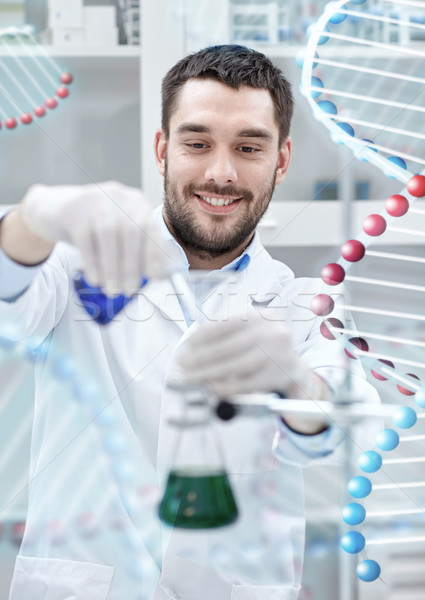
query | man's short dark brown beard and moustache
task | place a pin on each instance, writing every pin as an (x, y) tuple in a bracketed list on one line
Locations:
[(217, 240)]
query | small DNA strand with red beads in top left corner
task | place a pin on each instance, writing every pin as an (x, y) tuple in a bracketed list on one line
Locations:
[(31, 81)]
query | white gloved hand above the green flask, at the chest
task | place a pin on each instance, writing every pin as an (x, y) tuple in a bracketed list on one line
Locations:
[(245, 356)]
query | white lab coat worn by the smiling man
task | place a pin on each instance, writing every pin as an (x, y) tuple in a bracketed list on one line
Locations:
[(102, 446)]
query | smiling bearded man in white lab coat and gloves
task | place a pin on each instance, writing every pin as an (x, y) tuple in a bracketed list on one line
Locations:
[(223, 147)]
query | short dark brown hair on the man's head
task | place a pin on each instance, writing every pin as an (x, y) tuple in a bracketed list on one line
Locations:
[(234, 66)]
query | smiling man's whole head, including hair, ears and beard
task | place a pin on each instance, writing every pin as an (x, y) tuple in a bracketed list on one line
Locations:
[(223, 148)]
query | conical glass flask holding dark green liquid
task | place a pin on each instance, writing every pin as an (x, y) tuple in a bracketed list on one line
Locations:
[(198, 494)]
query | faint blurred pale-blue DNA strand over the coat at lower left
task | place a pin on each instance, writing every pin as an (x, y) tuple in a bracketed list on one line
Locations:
[(116, 491)]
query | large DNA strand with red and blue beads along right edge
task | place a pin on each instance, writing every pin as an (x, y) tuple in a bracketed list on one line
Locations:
[(364, 78)]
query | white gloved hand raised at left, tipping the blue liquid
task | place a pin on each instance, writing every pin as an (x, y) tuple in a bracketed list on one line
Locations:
[(110, 223)]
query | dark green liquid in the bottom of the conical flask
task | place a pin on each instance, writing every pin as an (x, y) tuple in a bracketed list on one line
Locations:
[(198, 500)]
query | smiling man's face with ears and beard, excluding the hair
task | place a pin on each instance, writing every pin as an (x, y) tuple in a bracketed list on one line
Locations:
[(221, 163)]
